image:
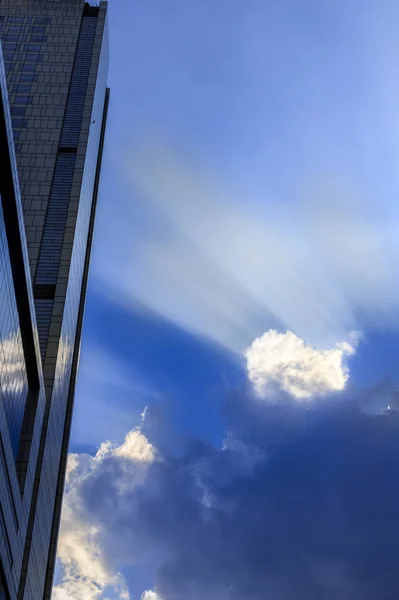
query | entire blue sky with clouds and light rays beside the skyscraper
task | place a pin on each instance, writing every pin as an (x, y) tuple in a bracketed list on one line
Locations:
[(230, 435)]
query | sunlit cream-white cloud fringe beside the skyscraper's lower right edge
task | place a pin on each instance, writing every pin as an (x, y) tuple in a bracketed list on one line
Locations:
[(87, 568)]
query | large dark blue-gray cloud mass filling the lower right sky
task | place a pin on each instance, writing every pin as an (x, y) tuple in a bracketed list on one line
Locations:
[(302, 503)]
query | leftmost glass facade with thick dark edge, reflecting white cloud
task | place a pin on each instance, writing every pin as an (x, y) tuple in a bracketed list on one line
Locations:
[(22, 395)]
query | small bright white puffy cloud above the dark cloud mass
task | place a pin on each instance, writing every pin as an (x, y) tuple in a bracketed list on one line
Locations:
[(283, 361)]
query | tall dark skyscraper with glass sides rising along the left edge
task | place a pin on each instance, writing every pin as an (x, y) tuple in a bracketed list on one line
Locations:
[(56, 60)]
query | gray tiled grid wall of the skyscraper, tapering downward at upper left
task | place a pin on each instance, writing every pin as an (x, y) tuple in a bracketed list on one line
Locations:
[(38, 82)]
